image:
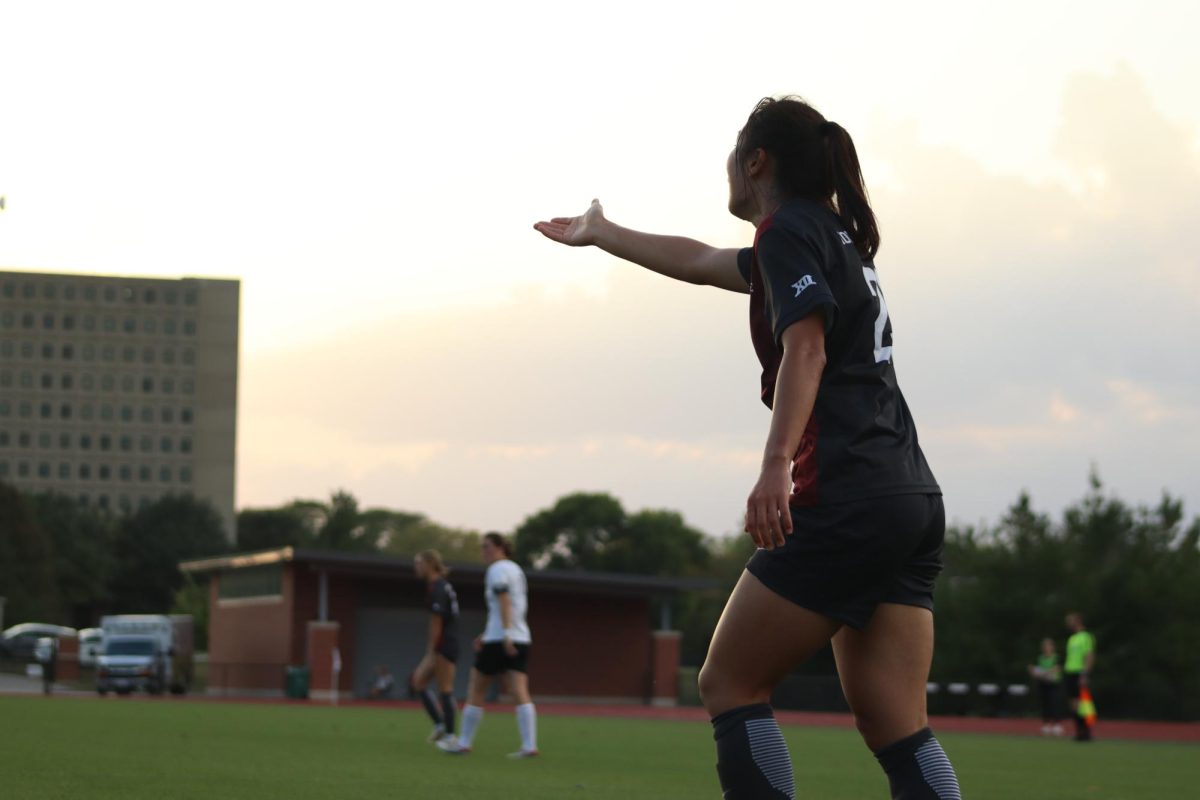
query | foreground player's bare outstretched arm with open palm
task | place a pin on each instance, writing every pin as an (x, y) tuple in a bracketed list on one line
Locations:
[(676, 257)]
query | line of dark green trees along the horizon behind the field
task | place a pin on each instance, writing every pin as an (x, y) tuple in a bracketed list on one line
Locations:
[(1133, 573)]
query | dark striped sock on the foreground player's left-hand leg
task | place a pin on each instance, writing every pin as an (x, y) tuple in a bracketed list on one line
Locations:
[(752, 756)]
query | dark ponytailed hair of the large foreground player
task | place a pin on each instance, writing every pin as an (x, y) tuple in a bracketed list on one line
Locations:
[(815, 160)]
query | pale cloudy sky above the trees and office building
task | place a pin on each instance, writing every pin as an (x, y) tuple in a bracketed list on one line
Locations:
[(371, 173)]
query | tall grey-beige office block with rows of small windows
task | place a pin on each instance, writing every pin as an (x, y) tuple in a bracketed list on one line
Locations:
[(117, 392)]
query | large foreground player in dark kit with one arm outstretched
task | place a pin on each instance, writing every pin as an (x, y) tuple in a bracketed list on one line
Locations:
[(847, 514)]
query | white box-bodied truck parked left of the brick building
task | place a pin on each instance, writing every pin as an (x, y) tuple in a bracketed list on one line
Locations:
[(146, 652)]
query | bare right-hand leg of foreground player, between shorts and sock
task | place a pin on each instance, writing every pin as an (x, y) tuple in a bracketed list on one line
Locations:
[(884, 671)]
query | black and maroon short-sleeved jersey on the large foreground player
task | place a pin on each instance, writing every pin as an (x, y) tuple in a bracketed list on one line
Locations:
[(861, 441)]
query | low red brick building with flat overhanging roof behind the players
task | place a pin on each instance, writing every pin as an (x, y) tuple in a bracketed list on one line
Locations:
[(595, 634)]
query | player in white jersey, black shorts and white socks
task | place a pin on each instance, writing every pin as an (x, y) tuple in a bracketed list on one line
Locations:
[(502, 649)]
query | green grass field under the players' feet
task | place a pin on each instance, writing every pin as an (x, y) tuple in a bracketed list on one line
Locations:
[(137, 750)]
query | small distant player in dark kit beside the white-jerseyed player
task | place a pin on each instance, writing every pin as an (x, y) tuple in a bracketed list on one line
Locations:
[(442, 651)]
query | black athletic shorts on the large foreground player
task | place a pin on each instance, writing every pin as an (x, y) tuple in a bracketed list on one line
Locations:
[(843, 561)]
